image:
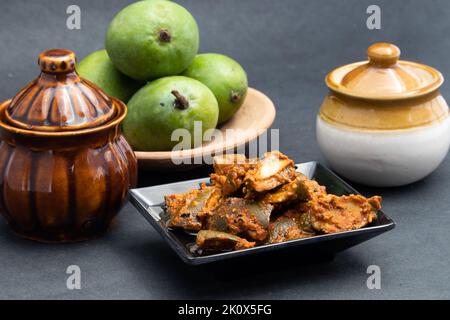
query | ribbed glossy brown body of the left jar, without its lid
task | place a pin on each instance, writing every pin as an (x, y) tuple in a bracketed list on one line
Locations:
[(64, 188)]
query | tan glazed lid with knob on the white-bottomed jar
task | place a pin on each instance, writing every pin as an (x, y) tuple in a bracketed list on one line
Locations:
[(384, 76)]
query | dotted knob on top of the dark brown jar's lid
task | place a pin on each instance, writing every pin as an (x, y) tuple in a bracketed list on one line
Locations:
[(57, 61)]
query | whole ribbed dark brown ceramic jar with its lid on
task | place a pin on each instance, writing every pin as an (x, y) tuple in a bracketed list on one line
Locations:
[(65, 168)]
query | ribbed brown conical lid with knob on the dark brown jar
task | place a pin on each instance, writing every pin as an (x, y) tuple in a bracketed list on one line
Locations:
[(59, 100)]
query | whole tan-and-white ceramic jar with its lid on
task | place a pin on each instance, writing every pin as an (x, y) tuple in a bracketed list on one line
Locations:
[(384, 122)]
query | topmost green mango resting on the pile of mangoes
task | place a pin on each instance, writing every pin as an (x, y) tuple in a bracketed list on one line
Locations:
[(152, 39)]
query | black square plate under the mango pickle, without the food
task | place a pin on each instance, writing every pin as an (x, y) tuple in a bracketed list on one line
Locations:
[(149, 202)]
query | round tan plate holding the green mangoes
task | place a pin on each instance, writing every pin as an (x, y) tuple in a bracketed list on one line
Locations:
[(254, 117)]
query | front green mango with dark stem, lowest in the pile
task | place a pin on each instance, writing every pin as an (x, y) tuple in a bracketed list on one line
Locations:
[(167, 104)]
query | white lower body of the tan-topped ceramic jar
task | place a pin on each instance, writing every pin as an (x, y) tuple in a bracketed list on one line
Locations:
[(384, 158)]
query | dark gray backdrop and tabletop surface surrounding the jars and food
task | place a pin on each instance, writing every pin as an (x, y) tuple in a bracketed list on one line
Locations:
[(287, 47)]
